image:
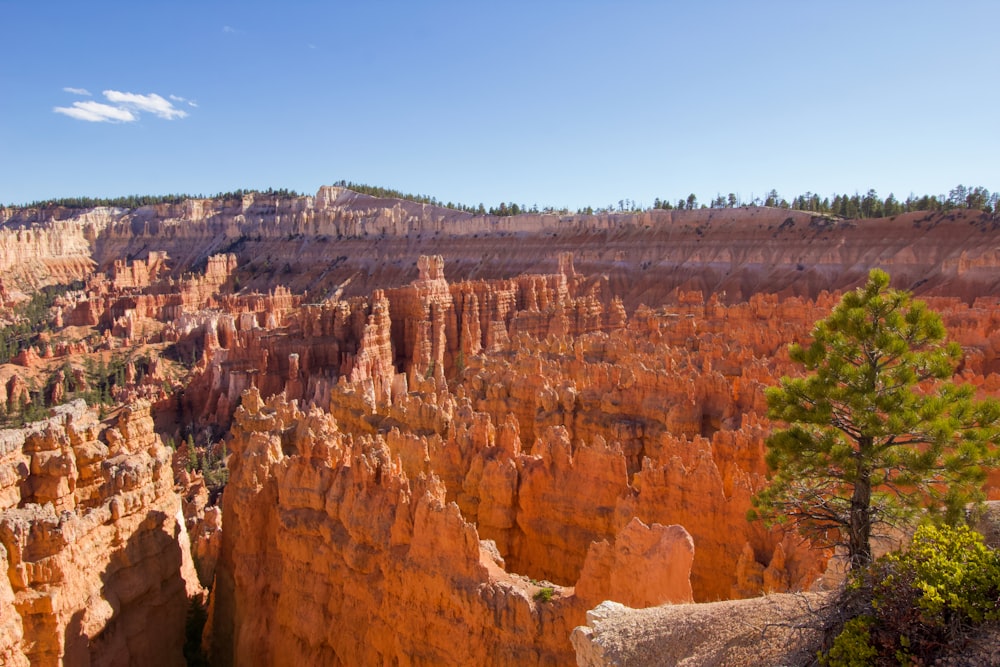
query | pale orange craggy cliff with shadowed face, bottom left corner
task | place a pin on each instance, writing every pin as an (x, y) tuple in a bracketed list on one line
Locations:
[(97, 567)]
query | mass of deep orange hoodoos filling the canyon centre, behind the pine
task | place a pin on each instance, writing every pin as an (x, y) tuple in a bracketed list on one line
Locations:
[(541, 435)]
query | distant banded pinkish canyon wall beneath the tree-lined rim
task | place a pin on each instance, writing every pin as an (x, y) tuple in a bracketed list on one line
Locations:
[(341, 242)]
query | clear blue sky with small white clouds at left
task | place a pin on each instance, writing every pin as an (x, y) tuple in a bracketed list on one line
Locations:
[(563, 103)]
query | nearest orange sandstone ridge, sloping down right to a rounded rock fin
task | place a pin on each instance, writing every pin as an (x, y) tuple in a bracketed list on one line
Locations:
[(325, 532)]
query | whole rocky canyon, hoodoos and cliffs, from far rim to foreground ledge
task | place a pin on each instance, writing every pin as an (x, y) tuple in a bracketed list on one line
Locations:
[(447, 437)]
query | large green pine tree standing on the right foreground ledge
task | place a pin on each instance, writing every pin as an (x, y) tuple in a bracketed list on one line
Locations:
[(876, 431)]
